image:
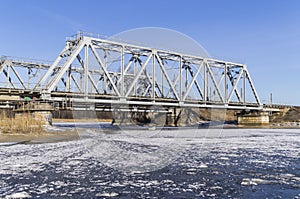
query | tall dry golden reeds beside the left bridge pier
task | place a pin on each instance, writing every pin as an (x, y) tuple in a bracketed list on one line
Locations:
[(25, 124)]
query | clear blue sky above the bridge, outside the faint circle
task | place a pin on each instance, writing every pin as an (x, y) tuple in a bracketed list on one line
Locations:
[(264, 35)]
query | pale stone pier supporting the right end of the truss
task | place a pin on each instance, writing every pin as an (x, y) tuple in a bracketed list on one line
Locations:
[(253, 118)]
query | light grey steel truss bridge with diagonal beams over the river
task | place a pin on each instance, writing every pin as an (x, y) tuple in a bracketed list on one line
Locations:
[(103, 73)]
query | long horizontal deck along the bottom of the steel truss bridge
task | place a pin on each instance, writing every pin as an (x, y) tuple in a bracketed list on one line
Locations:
[(99, 100)]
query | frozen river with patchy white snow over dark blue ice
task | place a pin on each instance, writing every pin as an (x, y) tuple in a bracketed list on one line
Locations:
[(174, 163)]
